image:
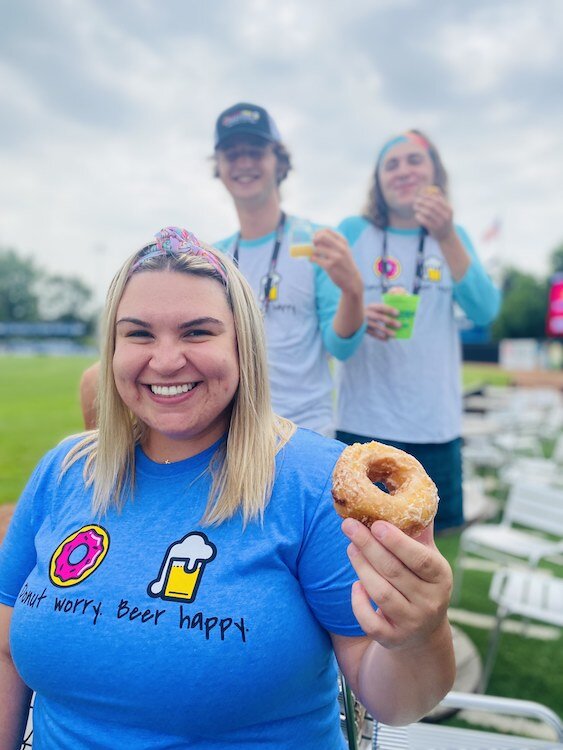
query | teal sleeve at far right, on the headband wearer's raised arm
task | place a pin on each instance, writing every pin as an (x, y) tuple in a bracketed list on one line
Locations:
[(475, 293)]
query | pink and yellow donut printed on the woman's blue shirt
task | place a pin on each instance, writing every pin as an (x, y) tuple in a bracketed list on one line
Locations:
[(62, 571)]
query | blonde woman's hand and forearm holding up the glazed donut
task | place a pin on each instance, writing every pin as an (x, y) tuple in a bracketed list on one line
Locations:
[(405, 663)]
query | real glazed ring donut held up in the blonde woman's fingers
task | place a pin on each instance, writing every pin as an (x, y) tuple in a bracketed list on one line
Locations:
[(412, 498)]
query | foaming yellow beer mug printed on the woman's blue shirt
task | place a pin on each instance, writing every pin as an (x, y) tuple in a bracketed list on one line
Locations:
[(182, 568)]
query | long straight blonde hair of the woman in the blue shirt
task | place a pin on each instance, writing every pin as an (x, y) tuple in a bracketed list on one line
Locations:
[(243, 470)]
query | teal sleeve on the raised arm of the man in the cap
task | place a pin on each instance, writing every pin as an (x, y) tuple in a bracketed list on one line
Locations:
[(327, 299)]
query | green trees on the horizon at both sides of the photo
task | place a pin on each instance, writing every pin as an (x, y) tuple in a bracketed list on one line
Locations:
[(28, 293)]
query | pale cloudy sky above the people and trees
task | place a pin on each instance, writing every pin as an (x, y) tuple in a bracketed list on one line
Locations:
[(108, 108)]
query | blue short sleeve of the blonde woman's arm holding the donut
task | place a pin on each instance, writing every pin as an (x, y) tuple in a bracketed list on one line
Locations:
[(325, 572)]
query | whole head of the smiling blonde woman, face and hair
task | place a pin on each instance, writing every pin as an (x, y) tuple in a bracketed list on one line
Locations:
[(175, 308)]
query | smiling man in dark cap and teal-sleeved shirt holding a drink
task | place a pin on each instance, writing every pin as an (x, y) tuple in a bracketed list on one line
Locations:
[(313, 307)]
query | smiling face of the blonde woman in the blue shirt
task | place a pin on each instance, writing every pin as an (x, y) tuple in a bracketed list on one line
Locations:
[(177, 368)]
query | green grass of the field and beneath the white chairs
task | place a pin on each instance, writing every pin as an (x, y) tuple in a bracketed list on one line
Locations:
[(40, 406)]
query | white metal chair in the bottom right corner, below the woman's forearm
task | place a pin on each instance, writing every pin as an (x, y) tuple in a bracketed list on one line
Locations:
[(424, 736)]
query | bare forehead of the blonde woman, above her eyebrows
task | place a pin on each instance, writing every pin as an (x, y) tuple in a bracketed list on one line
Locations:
[(150, 293)]
